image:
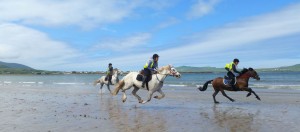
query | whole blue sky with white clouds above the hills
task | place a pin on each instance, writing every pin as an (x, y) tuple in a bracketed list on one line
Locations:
[(86, 35)]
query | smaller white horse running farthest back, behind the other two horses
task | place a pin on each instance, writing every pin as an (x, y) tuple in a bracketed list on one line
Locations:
[(114, 80)]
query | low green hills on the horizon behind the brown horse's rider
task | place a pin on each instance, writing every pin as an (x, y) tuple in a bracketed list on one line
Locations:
[(190, 69)]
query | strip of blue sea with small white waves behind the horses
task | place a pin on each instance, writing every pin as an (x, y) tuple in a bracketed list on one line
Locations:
[(269, 80)]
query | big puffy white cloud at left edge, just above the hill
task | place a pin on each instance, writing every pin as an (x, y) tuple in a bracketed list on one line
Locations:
[(27, 46)]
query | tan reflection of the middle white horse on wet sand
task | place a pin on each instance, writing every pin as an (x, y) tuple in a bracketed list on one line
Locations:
[(132, 119)]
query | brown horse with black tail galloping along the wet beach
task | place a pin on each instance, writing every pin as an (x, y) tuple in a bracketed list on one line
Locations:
[(241, 84)]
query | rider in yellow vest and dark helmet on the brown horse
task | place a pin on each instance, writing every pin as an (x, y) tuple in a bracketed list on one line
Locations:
[(231, 68)]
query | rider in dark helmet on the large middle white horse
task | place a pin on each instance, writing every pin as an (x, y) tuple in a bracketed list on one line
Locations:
[(150, 68)]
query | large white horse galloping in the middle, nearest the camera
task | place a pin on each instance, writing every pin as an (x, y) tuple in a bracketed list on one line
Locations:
[(155, 84)]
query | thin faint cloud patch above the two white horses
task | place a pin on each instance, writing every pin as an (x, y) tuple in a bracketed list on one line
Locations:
[(122, 44)]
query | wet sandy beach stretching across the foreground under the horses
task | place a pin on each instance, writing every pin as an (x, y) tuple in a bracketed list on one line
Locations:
[(183, 109)]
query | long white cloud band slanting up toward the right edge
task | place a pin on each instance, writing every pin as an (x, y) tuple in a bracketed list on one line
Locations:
[(215, 44)]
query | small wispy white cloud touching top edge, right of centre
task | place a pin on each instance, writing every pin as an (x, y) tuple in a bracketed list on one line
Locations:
[(202, 8)]
